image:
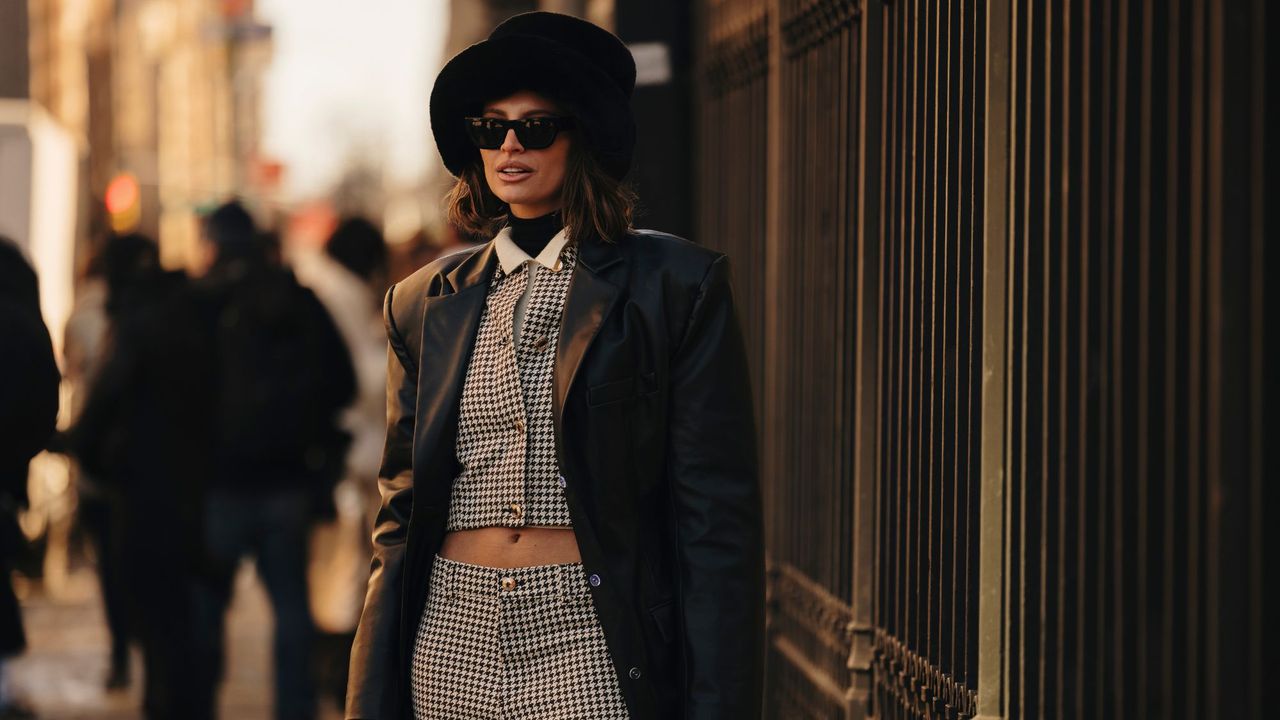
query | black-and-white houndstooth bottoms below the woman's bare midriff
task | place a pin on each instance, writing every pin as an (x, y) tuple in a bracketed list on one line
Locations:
[(513, 644)]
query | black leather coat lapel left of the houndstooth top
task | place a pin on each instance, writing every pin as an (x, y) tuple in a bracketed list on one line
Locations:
[(450, 325)]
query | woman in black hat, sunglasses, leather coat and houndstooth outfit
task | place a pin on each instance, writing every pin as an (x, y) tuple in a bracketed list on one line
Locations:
[(572, 511)]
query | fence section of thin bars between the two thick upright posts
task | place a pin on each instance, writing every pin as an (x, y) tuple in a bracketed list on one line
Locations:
[(930, 373)]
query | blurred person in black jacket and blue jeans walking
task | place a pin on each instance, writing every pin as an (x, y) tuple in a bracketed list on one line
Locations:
[(284, 379)]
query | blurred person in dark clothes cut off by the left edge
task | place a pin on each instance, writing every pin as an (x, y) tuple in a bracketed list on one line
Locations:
[(29, 409)]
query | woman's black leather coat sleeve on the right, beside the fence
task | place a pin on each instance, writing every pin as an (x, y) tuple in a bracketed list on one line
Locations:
[(716, 498)]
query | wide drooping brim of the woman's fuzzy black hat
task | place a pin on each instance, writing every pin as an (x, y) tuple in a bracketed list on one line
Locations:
[(496, 69)]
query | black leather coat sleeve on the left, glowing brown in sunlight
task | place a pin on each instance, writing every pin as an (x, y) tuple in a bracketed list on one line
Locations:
[(373, 689)]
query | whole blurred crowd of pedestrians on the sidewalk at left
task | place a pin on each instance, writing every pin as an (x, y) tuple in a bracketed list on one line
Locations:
[(216, 417)]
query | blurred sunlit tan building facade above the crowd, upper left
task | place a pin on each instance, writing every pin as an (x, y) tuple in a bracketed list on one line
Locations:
[(159, 95)]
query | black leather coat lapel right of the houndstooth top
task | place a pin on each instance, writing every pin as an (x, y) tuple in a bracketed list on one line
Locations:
[(589, 302)]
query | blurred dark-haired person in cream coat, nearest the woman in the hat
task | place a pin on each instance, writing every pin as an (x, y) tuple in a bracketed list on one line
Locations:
[(350, 279)]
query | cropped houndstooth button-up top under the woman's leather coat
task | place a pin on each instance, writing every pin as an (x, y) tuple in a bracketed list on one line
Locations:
[(506, 440)]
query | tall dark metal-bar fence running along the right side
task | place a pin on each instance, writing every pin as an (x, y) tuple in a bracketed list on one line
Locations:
[(1002, 266)]
